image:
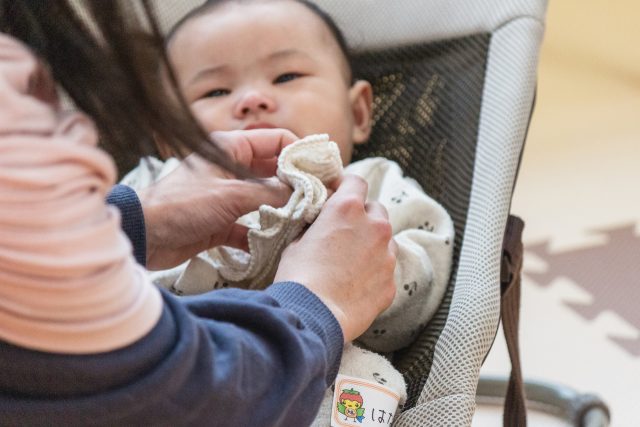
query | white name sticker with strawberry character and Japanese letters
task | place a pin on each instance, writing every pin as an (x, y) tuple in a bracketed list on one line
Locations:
[(358, 402)]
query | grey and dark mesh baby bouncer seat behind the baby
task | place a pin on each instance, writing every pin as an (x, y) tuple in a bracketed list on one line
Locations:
[(454, 84)]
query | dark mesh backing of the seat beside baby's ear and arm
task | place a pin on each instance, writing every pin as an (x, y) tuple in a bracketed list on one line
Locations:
[(426, 111)]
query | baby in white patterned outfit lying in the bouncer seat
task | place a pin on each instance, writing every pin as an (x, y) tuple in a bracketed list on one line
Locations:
[(248, 64)]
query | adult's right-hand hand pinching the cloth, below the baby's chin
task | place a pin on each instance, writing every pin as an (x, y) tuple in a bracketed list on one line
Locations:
[(347, 258)]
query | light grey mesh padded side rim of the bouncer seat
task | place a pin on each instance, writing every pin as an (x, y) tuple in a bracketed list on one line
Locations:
[(473, 317)]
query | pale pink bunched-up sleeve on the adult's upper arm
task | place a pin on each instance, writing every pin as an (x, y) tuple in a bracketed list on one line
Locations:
[(68, 281)]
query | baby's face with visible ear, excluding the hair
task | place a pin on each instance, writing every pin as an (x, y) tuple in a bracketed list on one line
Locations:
[(269, 65)]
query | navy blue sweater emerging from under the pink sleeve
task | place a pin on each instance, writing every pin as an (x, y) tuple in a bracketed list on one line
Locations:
[(225, 358)]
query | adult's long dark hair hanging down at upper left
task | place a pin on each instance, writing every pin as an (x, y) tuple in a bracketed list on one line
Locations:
[(106, 56)]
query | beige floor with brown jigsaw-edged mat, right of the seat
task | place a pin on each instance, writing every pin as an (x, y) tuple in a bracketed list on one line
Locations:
[(578, 184)]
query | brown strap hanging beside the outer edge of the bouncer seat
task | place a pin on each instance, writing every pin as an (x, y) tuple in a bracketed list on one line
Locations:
[(515, 412)]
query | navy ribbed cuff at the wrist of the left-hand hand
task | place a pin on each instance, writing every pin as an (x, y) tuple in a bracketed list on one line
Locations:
[(127, 202)]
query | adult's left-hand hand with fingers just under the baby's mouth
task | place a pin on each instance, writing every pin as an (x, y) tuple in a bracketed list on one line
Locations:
[(195, 207)]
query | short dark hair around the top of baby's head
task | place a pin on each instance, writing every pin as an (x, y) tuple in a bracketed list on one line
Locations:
[(314, 8)]
